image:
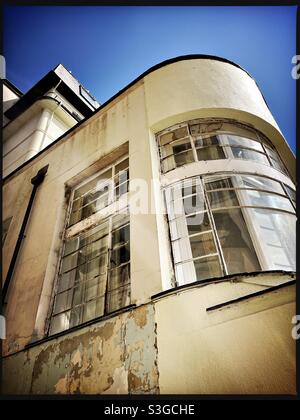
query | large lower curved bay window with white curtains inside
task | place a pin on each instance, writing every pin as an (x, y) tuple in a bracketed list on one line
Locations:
[(230, 223)]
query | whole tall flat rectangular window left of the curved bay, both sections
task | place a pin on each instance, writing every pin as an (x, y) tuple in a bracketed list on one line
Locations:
[(94, 272)]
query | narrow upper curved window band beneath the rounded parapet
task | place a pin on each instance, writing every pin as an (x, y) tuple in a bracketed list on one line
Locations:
[(199, 141)]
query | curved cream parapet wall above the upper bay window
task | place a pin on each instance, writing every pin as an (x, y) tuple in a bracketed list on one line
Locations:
[(199, 88)]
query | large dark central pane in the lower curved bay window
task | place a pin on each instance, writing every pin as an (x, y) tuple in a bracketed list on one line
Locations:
[(235, 241)]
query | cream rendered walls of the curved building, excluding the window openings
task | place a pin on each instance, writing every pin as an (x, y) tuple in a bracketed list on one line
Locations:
[(230, 335)]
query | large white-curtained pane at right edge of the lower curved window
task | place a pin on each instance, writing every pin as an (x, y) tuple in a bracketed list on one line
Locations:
[(277, 234)]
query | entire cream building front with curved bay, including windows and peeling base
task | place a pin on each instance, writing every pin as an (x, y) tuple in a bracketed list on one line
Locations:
[(159, 255)]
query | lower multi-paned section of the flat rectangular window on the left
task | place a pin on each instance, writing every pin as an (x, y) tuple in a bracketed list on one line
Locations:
[(94, 275)]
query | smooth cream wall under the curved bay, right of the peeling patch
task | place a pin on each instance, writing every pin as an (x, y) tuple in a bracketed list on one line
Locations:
[(243, 348)]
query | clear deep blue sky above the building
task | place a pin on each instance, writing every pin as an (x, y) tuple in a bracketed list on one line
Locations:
[(108, 47)]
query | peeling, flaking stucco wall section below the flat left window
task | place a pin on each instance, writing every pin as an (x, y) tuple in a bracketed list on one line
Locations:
[(117, 356)]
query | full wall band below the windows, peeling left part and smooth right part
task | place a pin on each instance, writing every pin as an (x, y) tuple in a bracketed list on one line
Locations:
[(172, 346)]
